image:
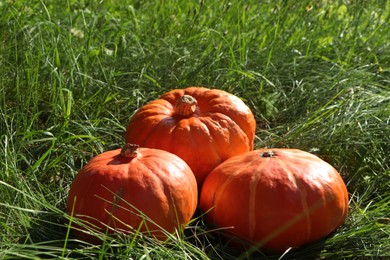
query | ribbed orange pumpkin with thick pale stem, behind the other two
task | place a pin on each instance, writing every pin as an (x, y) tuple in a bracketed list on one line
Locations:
[(202, 126)]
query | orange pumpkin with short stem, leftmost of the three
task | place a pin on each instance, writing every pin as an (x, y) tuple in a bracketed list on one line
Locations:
[(133, 188)]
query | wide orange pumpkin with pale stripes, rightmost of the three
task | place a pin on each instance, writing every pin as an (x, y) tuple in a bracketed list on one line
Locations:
[(275, 198)]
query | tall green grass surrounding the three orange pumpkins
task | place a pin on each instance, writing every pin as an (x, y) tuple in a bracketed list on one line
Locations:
[(315, 73)]
